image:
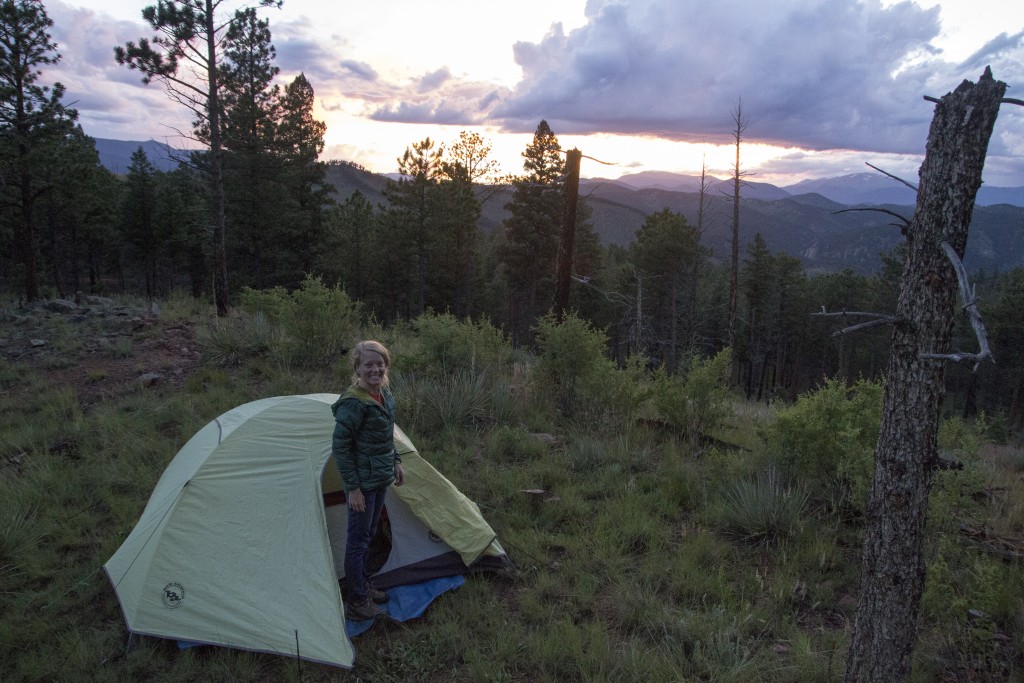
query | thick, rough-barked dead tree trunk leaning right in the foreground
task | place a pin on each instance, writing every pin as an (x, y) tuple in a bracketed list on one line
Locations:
[(893, 566)]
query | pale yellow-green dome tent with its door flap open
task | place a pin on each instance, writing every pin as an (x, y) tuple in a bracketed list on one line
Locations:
[(235, 545)]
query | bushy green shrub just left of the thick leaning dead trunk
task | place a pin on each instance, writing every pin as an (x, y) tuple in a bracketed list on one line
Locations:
[(828, 439)]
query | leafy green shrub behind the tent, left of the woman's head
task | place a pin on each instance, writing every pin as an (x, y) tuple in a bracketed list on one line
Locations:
[(320, 323)]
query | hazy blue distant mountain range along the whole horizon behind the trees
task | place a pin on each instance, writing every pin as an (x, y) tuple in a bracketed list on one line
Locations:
[(810, 220)]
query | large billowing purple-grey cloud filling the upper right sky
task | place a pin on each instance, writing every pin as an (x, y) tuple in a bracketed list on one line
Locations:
[(814, 74)]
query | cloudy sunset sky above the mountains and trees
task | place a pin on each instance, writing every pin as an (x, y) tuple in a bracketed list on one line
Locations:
[(825, 87)]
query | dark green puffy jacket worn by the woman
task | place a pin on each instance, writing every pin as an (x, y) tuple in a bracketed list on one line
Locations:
[(364, 440)]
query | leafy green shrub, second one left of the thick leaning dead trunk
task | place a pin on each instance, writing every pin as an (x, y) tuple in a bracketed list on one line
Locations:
[(698, 402)]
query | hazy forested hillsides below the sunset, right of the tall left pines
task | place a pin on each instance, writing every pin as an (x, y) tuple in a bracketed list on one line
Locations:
[(808, 226)]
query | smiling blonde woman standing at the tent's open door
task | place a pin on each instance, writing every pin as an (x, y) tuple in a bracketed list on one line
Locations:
[(364, 450)]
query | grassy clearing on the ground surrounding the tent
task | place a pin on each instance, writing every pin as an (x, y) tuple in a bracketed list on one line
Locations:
[(651, 556)]
